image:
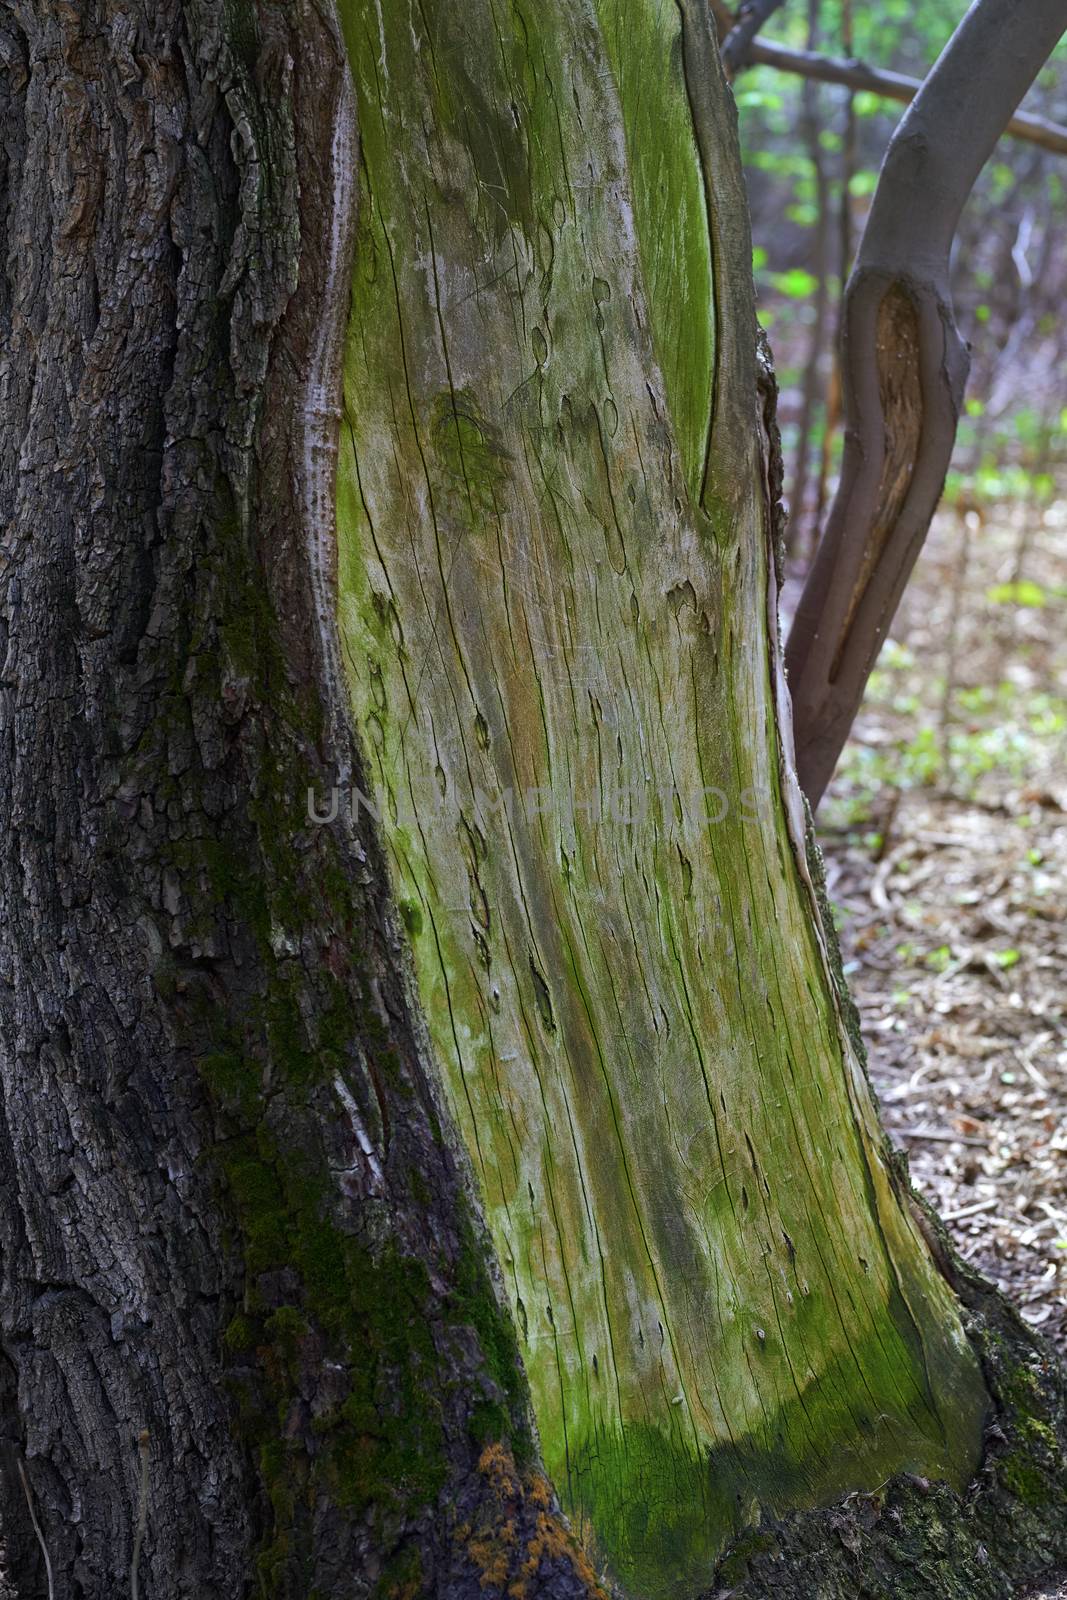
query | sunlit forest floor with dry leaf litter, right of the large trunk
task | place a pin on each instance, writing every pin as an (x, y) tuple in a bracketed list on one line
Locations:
[(946, 849)]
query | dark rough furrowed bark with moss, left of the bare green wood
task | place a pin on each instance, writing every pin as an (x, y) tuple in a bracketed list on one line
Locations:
[(215, 1122)]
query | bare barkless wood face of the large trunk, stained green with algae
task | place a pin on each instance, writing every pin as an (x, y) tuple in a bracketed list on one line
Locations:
[(559, 671)]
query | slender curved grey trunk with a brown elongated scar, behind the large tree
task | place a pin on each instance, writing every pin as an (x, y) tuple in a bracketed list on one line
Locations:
[(905, 369)]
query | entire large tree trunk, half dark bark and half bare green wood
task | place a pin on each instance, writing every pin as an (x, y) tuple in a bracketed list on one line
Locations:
[(311, 1130)]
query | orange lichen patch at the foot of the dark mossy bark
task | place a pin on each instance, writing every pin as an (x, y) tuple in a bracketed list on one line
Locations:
[(516, 1532)]
